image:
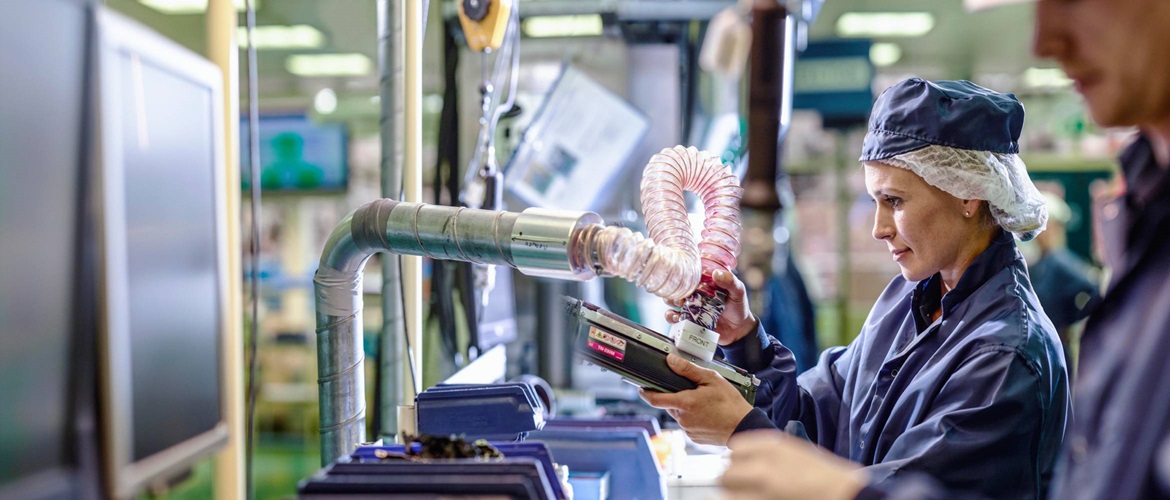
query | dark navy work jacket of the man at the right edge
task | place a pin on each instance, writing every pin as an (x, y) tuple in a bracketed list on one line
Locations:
[(1119, 447)]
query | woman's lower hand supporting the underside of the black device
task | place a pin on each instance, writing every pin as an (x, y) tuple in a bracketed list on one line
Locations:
[(710, 413)]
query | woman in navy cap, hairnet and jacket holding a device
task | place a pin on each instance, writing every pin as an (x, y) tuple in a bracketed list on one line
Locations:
[(956, 373)]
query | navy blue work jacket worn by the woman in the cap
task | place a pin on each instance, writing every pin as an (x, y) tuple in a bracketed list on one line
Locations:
[(979, 399)]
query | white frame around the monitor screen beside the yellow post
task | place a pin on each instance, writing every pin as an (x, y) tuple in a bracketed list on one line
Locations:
[(125, 476)]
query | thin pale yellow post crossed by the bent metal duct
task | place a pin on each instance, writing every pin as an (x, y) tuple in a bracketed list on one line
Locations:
[(412, 182)]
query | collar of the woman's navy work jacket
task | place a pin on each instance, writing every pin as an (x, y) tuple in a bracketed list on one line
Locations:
[(927, 296)]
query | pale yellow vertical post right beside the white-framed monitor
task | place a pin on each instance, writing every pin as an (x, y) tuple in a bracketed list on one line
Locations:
[(223, 51)]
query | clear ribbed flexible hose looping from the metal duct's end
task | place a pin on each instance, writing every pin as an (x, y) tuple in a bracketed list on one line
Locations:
[(670, 264)]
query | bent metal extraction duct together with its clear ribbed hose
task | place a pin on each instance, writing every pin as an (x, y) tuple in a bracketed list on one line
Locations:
[(538, 243)]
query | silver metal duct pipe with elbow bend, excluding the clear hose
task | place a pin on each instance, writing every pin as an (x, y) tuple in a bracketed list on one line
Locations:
[(539, 243)]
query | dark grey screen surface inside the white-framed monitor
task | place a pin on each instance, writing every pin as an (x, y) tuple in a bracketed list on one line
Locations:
[(171, 256)]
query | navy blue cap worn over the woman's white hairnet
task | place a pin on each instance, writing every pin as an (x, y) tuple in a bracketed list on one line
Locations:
[(916, 114)]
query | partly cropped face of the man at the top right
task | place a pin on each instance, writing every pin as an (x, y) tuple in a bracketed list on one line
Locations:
[(1116, 52)]
